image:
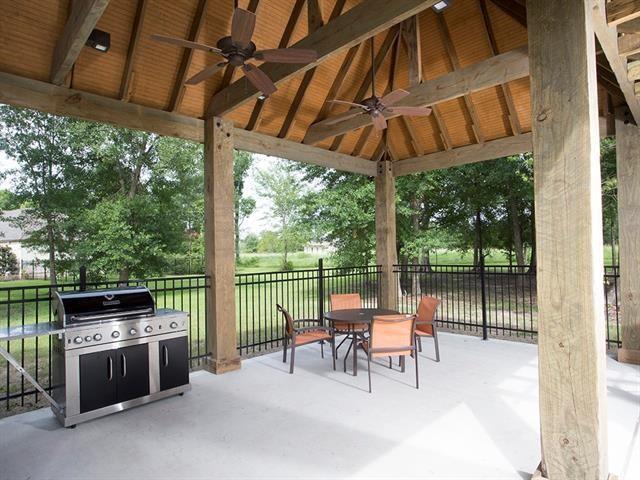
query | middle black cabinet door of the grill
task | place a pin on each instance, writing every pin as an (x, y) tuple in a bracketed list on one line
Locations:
[(132, 372)]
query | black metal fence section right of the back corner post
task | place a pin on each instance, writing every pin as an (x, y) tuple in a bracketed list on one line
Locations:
[(491, 300)]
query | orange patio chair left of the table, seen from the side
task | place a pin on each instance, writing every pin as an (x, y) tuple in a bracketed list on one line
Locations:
[(305, 335)]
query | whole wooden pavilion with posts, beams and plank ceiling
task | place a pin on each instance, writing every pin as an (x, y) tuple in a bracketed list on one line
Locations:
[(501, 77)]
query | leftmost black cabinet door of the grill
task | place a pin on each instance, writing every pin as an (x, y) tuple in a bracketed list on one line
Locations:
[(97, 380)]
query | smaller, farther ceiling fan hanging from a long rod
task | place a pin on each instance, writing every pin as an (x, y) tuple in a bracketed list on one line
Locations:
[(376, 106)]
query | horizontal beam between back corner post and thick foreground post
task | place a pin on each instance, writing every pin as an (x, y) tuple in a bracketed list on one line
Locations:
[(478, 152)]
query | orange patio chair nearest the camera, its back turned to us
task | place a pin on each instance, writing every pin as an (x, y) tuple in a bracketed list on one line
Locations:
[(391, 335)]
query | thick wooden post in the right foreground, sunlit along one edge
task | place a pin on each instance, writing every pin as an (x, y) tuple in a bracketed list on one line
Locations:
[(571, 325)]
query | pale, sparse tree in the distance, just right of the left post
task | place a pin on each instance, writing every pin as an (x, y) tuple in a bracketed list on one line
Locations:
[(283, 188)]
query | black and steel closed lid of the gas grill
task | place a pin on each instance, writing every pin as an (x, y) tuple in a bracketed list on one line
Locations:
[(87, 306)]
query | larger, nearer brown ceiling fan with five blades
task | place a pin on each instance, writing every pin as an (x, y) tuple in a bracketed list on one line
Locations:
[(238, 48)]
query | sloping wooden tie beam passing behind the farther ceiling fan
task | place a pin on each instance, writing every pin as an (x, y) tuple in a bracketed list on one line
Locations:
[(488, 73)]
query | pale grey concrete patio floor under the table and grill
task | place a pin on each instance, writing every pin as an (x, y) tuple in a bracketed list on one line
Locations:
[(475, 416)]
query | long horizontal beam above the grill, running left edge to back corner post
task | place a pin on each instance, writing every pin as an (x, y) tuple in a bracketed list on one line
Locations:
[(28, 93)]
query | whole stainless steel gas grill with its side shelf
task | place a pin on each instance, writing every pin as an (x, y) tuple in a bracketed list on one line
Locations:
[(112, 350)]
